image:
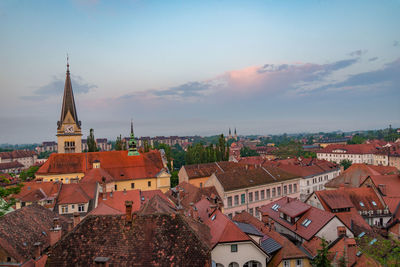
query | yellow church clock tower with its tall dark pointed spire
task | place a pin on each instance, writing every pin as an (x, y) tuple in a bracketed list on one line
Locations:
[(69, 133)]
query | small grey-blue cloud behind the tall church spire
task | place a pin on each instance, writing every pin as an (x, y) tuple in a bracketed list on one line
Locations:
[(56, 88)]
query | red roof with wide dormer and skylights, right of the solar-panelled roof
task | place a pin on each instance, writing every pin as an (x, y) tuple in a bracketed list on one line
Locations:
[(319, 218)]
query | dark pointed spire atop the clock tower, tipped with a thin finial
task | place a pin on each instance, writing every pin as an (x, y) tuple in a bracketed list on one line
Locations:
[(68, 101)]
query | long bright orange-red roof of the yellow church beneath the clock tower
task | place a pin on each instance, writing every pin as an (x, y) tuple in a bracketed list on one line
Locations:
[(117, 163)]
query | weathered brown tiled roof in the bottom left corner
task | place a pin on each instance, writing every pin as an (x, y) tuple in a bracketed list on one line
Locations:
[(22, 228)]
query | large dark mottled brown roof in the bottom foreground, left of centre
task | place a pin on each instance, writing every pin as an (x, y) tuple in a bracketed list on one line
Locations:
[(160, 239)]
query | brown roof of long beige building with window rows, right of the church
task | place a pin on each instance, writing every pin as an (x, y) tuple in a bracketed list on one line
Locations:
[(242, 178)]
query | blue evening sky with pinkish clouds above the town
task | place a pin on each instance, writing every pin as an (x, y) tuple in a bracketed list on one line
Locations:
[(199, 67)]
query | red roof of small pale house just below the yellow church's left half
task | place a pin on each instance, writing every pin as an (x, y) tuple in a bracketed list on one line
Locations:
[(77, 193)]
